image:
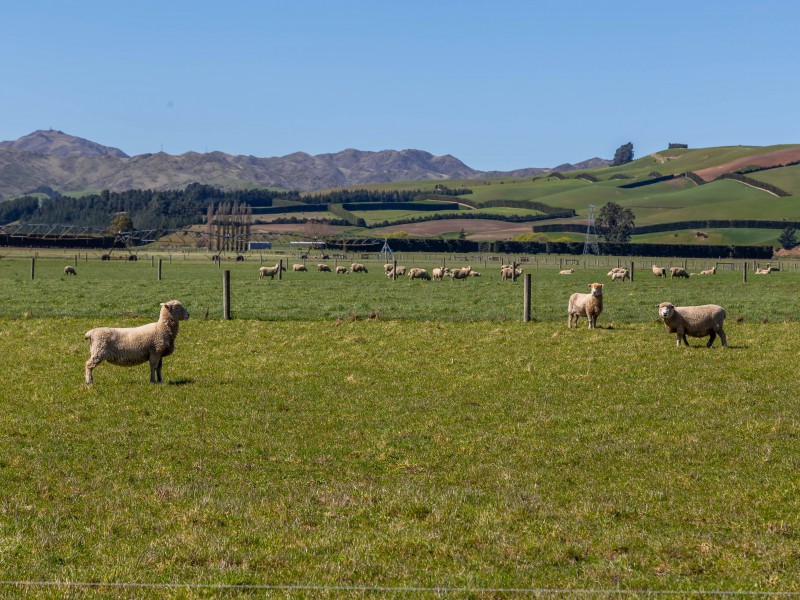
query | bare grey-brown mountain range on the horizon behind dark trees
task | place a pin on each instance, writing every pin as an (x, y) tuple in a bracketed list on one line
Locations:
[(68, 163)]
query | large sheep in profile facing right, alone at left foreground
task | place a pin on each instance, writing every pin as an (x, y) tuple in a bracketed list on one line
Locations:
[(129, 346)]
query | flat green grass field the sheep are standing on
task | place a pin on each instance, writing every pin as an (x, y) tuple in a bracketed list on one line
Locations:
[(352, 431)]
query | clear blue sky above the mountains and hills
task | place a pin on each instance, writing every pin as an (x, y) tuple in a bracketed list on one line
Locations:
[(499, 84)]
